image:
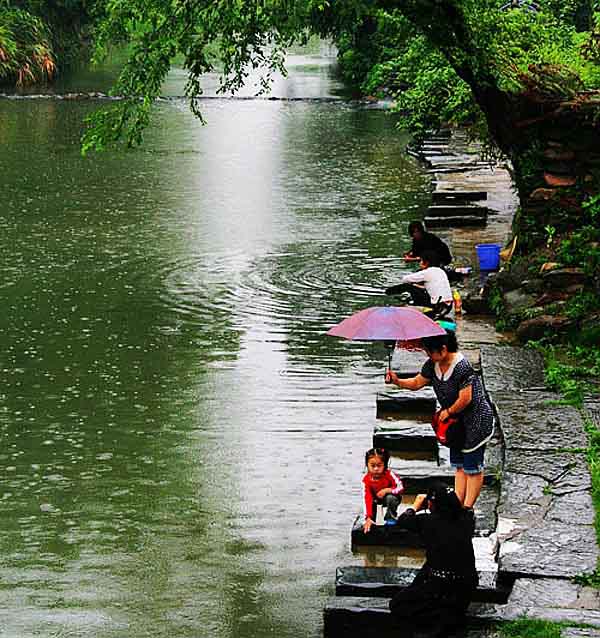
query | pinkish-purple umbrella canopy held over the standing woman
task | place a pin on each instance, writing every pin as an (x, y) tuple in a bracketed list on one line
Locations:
[(386, 323)]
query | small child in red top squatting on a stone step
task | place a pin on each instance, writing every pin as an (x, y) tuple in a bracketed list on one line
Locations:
[(380, 485)]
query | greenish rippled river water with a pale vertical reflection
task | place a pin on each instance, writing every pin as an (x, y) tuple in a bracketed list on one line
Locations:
[(181, 443)]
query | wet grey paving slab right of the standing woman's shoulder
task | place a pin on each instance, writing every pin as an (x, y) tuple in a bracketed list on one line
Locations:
[(510, 369)]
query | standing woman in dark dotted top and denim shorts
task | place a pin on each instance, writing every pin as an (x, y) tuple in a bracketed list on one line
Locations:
[(460, 393)]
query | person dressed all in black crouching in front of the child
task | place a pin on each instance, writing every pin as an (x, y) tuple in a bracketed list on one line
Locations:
[(437, 600)]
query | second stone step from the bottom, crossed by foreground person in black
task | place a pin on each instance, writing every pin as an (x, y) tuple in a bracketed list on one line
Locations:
[(384, 582)]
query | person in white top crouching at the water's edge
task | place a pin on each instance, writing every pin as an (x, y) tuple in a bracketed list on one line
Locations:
[(428, 287)]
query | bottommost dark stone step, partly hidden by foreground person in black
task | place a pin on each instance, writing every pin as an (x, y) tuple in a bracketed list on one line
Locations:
[(351, 616)]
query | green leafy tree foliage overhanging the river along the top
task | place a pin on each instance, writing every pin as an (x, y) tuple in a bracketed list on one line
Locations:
[(446, 59)]
